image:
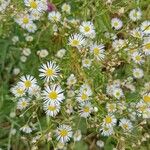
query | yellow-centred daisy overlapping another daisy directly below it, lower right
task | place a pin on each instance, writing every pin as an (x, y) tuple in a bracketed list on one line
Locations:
[(109, 120)]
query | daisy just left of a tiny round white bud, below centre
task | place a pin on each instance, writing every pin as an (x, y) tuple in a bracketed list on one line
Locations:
[(85, 109)]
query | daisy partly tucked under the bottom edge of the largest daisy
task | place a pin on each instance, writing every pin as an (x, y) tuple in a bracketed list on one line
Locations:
[(51, 109)]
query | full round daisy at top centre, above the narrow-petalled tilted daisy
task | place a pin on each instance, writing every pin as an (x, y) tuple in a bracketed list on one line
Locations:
[(87, 28)]
